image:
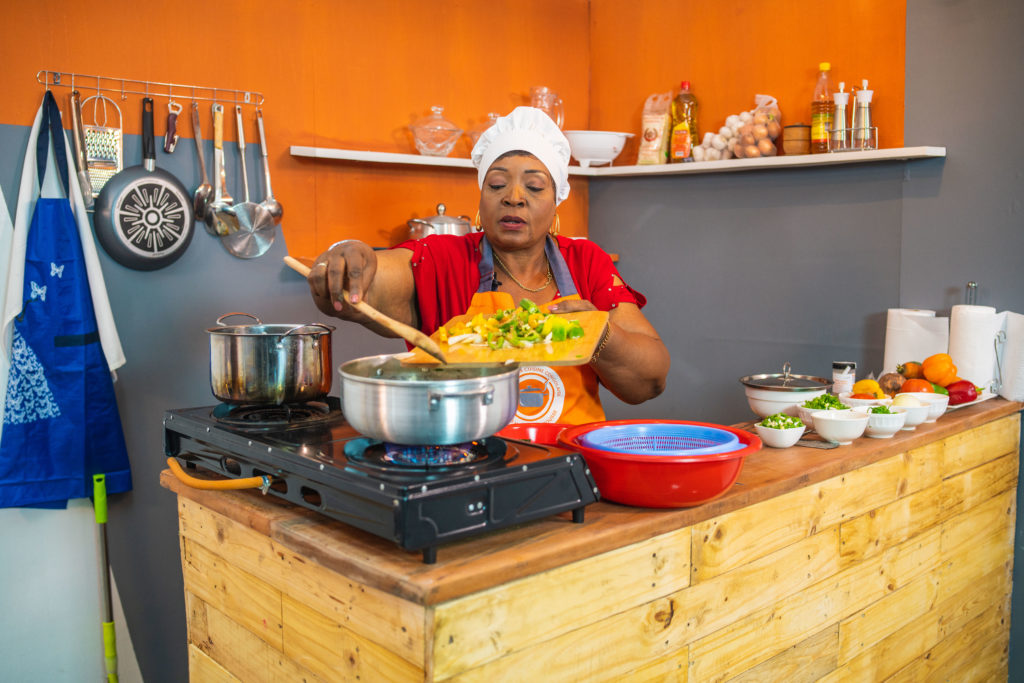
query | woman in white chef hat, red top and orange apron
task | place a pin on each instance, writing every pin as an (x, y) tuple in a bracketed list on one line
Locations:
[(523, 170)]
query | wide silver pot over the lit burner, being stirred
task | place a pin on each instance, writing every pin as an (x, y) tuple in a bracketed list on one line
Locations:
[(435, 406)]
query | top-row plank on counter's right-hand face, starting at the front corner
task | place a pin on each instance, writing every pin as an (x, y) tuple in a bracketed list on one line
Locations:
[(491, 624)]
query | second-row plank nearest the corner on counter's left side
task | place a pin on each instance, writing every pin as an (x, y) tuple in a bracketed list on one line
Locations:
[(334, 653)]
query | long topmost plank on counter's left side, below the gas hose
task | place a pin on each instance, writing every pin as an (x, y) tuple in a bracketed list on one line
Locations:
[(373, 614)]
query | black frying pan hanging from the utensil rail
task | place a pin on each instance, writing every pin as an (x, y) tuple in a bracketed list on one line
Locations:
[(144, 217)]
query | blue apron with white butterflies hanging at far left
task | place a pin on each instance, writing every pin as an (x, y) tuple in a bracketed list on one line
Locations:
[(61, 424)]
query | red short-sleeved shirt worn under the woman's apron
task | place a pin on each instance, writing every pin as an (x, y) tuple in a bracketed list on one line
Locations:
[(446, 269)]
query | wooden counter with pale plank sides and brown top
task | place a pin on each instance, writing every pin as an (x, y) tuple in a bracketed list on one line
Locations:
[(886, 560)]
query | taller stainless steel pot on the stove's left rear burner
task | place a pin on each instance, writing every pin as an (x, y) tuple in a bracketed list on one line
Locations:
[(270, 364)]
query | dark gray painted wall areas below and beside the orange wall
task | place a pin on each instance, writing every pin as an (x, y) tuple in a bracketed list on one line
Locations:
[(744, 272)]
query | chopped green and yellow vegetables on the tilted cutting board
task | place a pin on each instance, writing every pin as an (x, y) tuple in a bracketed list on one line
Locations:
[(514, 328)]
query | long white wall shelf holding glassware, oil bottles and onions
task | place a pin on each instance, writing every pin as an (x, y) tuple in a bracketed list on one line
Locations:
[(727, 166)]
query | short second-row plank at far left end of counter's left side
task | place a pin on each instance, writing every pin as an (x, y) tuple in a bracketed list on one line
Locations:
[(252, 603)]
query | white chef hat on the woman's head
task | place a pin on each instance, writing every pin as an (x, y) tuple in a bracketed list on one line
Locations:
[(527, 130)]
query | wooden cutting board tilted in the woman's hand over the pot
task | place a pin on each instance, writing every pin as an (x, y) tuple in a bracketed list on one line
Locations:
[(569, 353)]
